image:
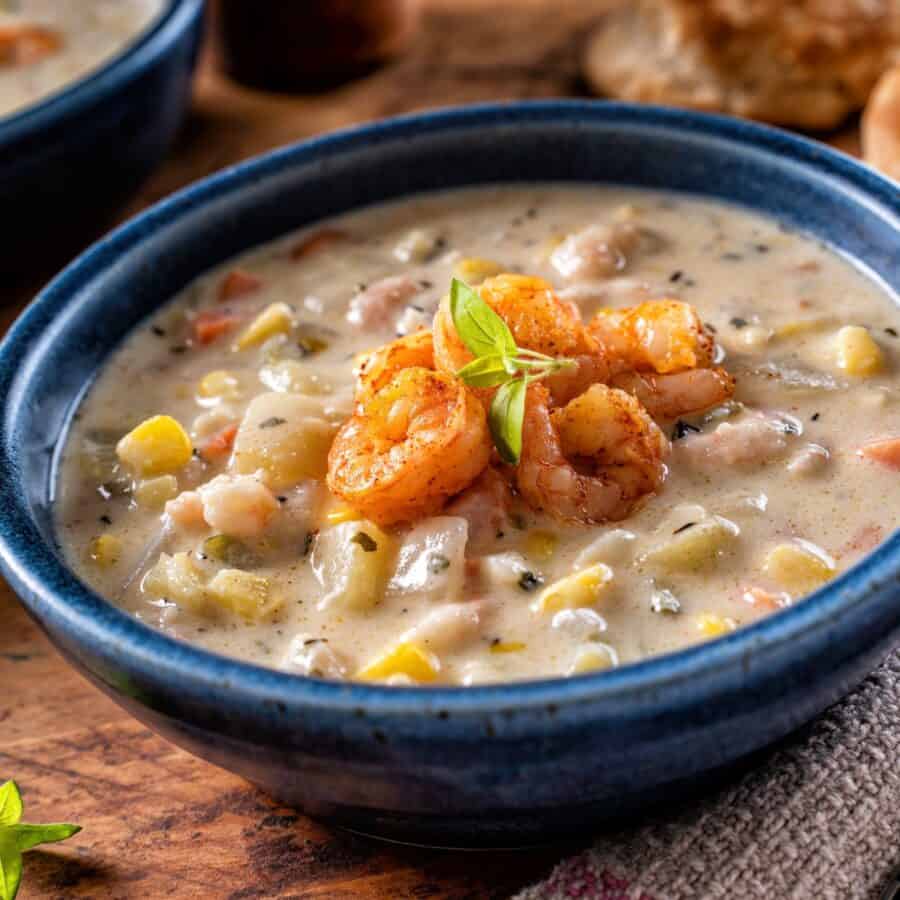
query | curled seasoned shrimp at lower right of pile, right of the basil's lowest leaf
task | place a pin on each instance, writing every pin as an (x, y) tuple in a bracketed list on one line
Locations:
[(593, 460)]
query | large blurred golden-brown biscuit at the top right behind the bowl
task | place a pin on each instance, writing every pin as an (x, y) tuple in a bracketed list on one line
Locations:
[(802, 63)]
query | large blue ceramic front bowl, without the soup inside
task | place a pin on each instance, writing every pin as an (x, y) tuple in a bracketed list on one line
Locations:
[(504, 764)]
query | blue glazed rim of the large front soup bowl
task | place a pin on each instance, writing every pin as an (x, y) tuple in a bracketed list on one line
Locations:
[(33, 568)]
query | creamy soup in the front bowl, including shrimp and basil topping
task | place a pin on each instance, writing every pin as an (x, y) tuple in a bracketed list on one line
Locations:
[(283, 464)]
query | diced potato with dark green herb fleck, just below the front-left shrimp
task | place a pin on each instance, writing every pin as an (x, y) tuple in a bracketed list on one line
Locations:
[(351, 562)]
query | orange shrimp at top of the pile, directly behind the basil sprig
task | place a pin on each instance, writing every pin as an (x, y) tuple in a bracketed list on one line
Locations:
[(539, 321)]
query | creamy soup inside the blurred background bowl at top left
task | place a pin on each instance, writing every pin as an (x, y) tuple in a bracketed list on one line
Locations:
[(47, 44)]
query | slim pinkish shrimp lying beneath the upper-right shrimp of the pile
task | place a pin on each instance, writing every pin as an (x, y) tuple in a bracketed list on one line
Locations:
[(677, 393)]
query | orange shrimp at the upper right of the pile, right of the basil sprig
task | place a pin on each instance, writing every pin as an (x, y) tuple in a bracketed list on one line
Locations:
[(659, 336)]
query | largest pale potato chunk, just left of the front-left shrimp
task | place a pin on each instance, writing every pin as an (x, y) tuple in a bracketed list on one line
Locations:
[(285, 435)]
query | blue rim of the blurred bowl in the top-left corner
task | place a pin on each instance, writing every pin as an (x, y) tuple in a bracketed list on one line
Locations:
[(138, 54)]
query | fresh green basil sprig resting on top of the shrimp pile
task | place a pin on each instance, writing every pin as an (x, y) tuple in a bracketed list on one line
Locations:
[(498, 363)]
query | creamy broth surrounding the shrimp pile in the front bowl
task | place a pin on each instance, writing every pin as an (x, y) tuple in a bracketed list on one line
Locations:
[(766, 495)]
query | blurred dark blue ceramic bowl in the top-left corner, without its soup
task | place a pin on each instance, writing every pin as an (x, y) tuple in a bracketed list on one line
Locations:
[(72, 158)]
